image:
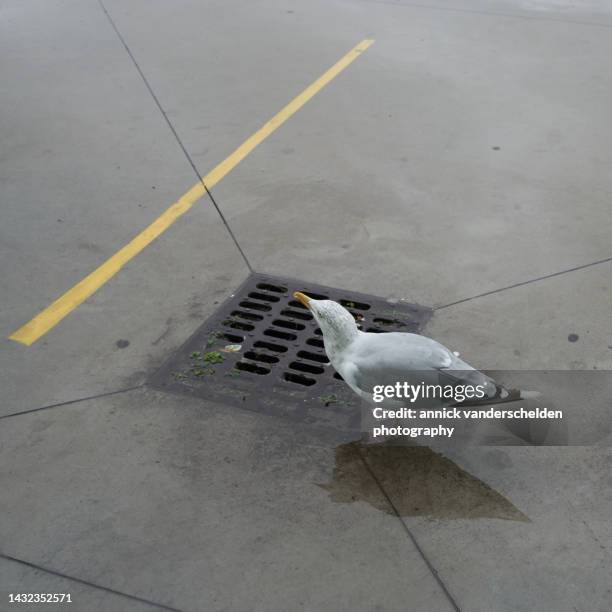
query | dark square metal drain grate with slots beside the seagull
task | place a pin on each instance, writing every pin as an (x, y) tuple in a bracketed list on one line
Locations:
[(262, 350)]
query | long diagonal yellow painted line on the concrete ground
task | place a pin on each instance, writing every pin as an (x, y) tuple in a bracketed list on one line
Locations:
[(64, 305)]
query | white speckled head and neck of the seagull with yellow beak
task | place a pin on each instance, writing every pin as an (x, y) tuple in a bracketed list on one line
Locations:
[(336, 322)]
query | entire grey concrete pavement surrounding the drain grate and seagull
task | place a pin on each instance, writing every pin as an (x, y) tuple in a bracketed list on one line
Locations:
[(466, 151)]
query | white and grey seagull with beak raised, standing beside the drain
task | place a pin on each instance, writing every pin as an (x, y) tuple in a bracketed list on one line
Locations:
[(365, 360)]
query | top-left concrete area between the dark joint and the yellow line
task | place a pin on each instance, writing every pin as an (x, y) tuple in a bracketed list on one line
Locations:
[(87, 162)]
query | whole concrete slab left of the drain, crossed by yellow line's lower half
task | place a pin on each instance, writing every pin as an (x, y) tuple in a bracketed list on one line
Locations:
[(87, 164)]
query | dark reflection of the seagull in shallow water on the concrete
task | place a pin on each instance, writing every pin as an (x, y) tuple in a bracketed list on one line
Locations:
[(417, 480)]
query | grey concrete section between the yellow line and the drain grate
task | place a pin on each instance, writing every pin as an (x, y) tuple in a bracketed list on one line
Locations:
[(154, 304)]
